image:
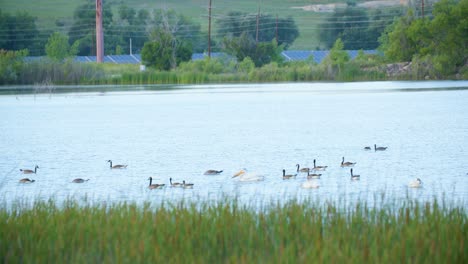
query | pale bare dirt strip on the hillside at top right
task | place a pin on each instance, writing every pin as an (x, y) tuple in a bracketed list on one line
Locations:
[(328, 8)]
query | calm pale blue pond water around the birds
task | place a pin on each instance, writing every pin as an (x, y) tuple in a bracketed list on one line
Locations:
[(182, 131)]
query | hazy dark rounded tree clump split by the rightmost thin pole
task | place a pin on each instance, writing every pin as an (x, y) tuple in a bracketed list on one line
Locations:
[(235, 23)]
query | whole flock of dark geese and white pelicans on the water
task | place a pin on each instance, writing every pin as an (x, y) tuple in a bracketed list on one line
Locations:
[(245, 175)]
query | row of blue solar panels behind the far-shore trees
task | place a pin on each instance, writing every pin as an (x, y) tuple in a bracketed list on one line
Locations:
[(288, 55)]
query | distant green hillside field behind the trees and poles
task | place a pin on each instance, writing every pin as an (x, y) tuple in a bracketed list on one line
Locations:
[(48, 11)]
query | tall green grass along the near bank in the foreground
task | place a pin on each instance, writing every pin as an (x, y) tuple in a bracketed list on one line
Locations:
[(227, 232)]
